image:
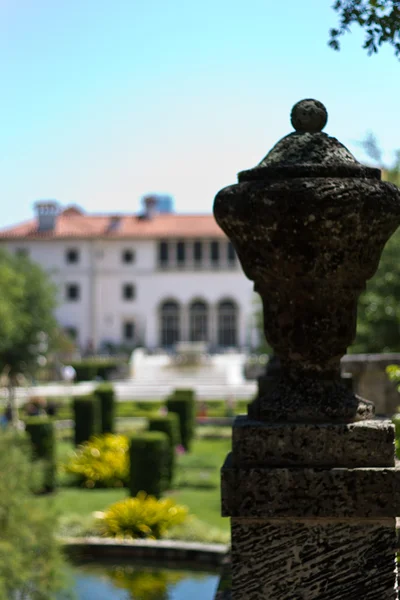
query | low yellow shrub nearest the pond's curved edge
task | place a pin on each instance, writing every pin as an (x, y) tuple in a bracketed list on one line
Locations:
[(142, 517)]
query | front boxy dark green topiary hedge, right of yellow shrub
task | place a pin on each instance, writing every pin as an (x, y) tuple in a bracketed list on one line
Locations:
[(148, 453)]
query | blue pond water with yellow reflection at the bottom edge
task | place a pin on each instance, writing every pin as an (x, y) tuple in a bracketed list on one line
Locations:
[(125, 582)]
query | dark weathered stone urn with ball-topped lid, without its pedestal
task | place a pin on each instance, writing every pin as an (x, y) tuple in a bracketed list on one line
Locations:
[(309, 224)]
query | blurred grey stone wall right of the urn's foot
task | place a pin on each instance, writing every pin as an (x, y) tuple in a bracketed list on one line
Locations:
[(371, 382)]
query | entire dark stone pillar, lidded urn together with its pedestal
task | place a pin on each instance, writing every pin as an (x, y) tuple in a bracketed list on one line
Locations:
[(311, 485)]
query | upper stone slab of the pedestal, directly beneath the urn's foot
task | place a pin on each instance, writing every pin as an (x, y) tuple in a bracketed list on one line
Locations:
[(359, 444)]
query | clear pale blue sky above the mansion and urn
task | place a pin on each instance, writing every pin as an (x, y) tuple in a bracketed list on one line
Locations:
[(106, 100)]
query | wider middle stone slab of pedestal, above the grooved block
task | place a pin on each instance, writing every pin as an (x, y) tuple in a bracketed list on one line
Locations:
[(305, 492)]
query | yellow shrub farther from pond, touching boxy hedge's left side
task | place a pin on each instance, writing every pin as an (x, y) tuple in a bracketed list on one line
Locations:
[(103, 461)]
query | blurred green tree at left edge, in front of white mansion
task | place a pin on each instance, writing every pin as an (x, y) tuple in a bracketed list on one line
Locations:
[(27, 323)]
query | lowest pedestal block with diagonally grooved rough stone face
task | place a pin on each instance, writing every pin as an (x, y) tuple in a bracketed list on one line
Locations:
[(291, 560)]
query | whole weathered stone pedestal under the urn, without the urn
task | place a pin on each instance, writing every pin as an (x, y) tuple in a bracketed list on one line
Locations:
[(313, 510)]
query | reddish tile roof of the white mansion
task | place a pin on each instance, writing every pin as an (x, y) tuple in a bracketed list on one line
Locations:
[(73, 223)]
